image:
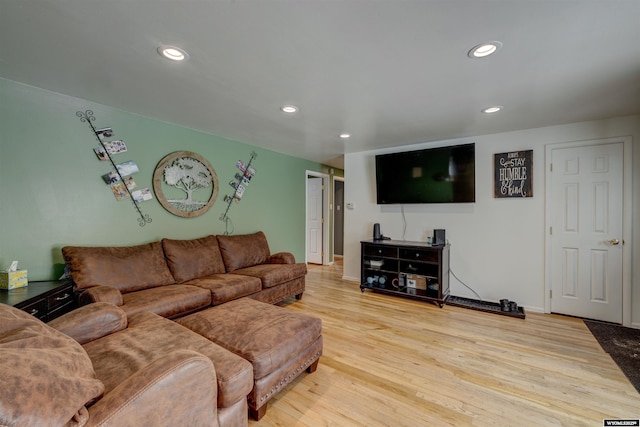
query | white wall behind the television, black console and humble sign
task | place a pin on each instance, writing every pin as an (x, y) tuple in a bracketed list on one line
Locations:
[(497, 245)]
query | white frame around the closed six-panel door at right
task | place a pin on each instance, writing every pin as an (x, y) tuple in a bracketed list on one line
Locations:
[(627, 203)]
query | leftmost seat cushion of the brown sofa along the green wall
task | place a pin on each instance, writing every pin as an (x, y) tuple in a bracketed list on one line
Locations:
[(167, 301)]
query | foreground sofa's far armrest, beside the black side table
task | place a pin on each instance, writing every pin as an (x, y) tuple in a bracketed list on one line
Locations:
[(91, 322)]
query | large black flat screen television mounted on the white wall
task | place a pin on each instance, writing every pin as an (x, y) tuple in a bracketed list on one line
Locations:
[(432, 175)]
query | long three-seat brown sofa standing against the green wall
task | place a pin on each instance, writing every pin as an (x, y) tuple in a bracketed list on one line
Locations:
[(173, 278)]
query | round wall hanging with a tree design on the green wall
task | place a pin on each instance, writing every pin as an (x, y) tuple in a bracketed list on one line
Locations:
[(186, 174)]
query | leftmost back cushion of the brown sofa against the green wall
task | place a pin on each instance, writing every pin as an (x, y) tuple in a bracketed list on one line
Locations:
[(126, 268)]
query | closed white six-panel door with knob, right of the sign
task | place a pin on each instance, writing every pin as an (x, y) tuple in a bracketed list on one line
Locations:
[(586, 231)]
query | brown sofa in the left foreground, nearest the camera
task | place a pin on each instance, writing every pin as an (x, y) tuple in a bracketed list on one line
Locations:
[(98, 366)]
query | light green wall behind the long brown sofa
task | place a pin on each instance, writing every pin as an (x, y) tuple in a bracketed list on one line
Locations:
[(51, 193)]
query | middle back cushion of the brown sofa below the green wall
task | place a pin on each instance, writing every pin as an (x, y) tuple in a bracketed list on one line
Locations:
[(190, 259)]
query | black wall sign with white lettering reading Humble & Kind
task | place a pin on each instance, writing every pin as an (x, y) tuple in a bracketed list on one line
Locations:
[(513, 174)]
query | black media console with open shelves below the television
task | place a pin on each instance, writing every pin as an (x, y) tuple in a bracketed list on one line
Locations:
[(410, 269)]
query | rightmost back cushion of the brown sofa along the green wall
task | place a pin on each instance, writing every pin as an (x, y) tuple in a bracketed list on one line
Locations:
[(243, 250)]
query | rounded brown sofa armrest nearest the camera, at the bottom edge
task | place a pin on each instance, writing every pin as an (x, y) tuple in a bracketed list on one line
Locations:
[(178, 389)]
